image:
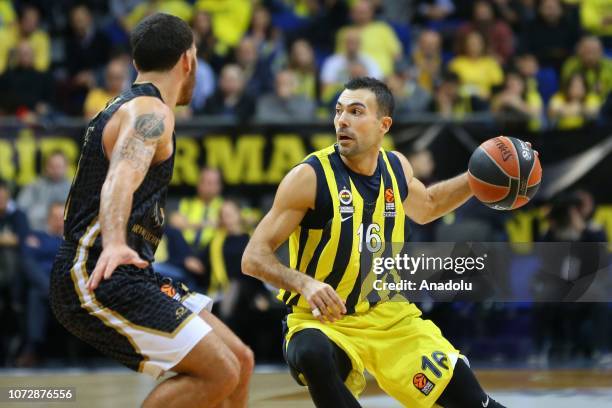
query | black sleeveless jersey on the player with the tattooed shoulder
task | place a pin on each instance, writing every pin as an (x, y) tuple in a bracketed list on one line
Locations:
[(145, 224)]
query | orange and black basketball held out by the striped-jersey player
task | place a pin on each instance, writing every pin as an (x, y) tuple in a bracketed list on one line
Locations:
[(504, 173)]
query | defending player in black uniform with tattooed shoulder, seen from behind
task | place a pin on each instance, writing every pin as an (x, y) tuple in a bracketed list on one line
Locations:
[(103, 288)]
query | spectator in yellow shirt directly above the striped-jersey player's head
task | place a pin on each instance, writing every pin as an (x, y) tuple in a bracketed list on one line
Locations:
[(378, 40)]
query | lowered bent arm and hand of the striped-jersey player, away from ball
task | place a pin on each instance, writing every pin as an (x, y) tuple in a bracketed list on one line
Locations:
[(295, 195)]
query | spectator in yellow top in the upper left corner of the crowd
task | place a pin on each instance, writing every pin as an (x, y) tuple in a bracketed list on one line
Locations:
[(28, 29)]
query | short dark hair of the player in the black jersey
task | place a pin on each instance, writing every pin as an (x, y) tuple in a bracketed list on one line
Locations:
[(158, 42)]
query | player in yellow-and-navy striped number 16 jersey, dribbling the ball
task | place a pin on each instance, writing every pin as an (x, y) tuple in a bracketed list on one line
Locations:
[(329, 206)]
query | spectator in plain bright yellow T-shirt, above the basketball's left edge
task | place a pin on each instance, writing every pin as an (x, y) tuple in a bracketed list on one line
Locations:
[(478, 71)]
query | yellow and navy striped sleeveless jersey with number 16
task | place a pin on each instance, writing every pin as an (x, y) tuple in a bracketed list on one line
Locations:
[(354, 217)]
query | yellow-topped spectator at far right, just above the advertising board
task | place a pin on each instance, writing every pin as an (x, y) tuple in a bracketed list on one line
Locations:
[(573, 106)]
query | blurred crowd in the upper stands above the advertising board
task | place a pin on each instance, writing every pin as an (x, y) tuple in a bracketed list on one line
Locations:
[(538, 63)]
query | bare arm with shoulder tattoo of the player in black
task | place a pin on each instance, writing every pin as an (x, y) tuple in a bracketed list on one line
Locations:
[(144, 132)]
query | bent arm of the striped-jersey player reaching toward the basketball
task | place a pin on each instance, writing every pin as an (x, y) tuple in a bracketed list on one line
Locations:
[(425, 204)]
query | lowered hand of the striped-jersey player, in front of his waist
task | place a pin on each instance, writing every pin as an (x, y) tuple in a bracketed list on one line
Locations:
[(324, 302)]
